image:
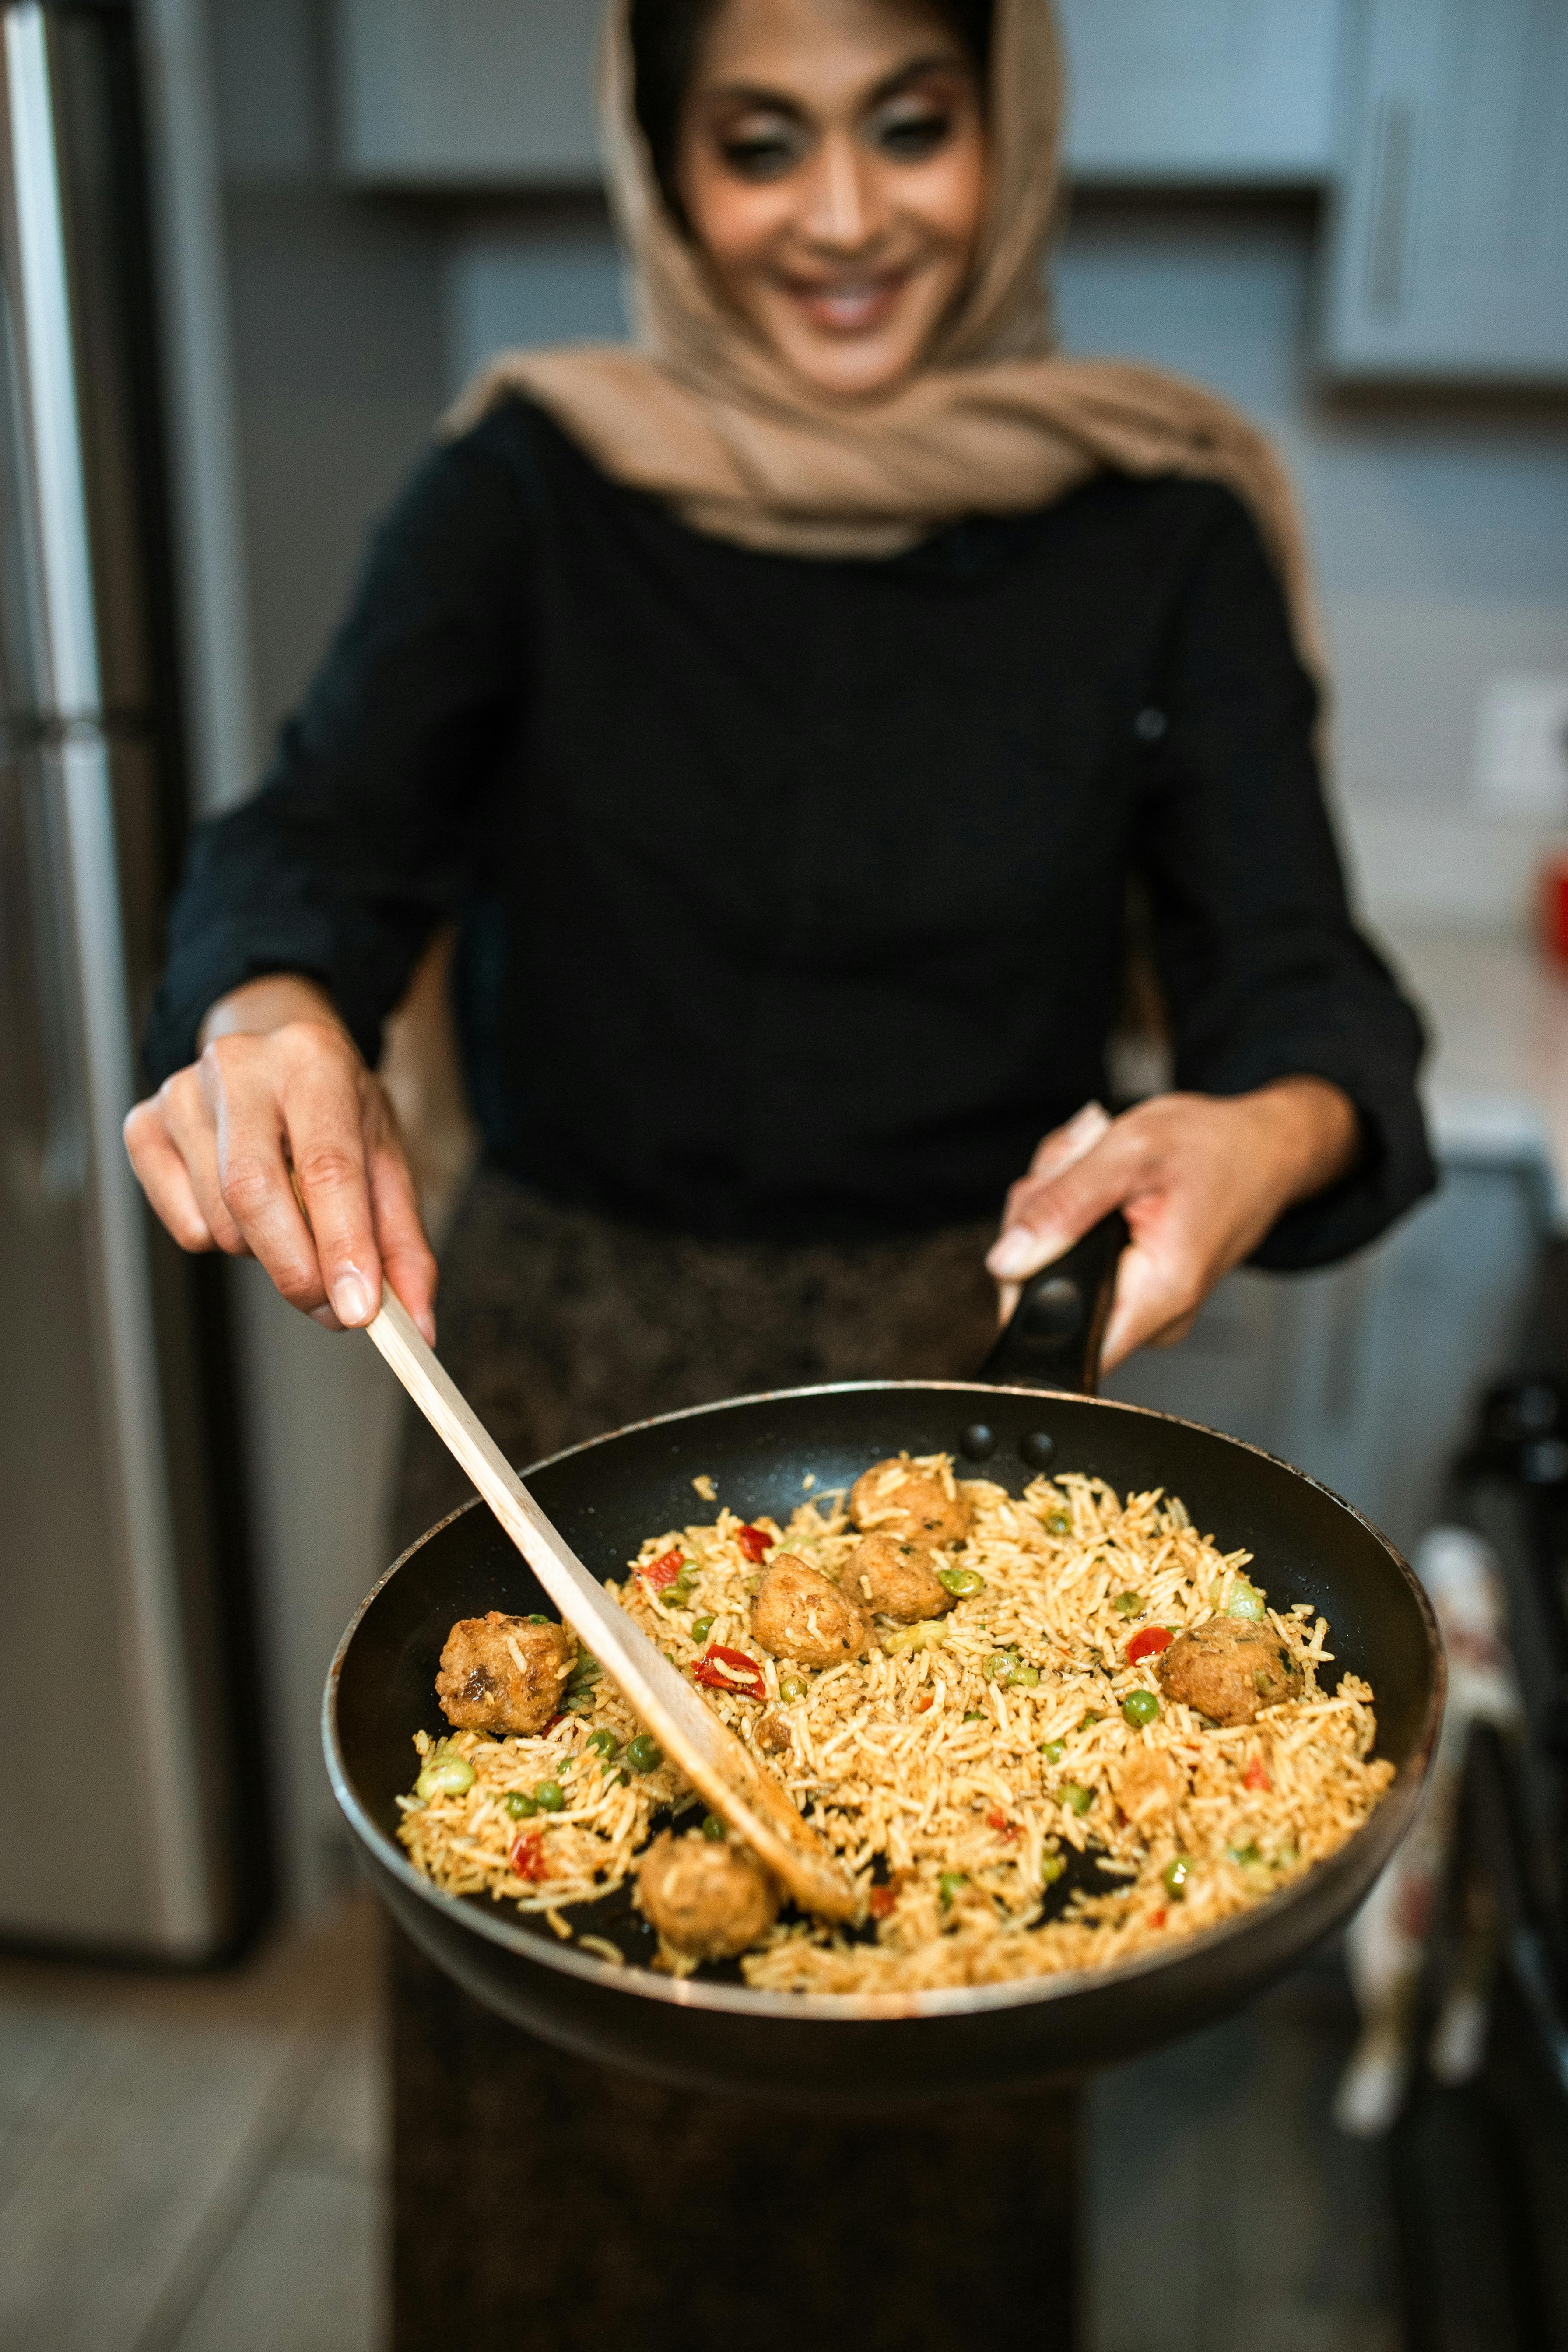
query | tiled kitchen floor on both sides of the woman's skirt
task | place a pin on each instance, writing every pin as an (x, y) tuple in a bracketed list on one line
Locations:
[(196, 2167)]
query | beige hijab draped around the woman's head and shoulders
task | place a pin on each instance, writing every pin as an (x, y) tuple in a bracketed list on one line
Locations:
[(702, 415)]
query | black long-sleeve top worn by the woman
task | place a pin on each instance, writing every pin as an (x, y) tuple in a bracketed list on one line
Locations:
[(791, 890)]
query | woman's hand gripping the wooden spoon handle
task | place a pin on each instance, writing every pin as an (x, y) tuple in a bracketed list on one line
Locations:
[(281, 1097)]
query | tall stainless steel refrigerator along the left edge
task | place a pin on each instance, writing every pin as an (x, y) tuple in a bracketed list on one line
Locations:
[(126, 1749)]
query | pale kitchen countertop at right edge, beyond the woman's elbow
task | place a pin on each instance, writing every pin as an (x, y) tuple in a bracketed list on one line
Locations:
[(1496, 1085)]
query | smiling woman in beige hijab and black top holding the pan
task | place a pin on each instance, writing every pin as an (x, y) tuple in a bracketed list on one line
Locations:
[(782, 707)]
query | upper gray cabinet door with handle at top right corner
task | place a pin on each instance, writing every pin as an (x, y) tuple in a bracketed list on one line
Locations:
[(1449, 246)]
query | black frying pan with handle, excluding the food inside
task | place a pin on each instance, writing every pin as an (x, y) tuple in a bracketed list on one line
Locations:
[(857, 2052)]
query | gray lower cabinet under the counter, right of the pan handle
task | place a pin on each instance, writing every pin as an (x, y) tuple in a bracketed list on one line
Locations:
[(1367, 1375)]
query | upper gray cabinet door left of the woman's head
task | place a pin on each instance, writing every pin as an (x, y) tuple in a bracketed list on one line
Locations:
[(467, 93)]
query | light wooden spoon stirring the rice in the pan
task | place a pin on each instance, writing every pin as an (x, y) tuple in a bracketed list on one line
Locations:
[(690, 1735)]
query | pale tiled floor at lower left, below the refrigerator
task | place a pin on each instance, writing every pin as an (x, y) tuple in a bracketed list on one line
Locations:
[(194, 2165)]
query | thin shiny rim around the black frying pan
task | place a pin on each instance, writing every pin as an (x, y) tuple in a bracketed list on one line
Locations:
[(880, 2007)]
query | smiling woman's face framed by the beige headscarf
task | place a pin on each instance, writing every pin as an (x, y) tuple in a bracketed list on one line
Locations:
[(833, 168)]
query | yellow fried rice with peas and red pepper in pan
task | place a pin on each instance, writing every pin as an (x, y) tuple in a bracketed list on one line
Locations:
[(956, 1765)]
